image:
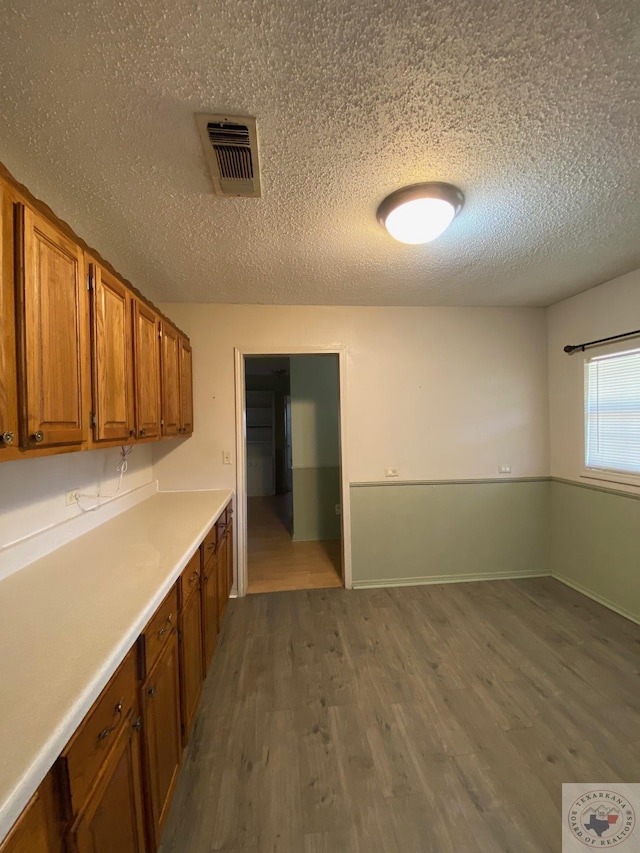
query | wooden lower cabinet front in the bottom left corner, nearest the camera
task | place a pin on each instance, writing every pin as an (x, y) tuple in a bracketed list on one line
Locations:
[(37, 830)]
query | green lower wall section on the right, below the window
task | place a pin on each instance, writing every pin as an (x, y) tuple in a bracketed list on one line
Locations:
[(595, 544)]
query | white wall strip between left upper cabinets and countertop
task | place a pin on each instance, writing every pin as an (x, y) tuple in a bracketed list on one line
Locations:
[(32, 492)]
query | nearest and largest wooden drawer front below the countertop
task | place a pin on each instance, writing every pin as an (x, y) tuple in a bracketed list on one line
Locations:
[(87, 750)]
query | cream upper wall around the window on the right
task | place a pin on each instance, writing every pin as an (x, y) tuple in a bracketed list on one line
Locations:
[(610, 309)]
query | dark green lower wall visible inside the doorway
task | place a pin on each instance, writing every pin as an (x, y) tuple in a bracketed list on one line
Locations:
[(316, 491)]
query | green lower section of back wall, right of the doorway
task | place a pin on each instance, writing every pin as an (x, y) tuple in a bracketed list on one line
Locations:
[(438, 532)]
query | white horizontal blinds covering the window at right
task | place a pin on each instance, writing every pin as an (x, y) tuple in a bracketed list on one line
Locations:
[(612, 412)]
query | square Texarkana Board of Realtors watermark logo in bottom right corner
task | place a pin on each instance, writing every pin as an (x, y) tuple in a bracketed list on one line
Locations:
[(600, 817)]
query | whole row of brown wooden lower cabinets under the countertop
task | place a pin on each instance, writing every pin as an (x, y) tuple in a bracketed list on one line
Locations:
[(110, 789)]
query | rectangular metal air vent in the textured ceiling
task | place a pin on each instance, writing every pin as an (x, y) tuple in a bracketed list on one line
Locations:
[(231, 149)]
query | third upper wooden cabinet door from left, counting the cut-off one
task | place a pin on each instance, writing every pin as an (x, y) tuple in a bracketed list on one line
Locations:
[(112, 349)]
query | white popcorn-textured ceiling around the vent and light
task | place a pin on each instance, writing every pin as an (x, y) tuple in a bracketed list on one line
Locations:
[(531, 107)]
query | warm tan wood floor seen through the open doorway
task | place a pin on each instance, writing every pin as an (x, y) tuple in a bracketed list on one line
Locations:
[(275, 562)]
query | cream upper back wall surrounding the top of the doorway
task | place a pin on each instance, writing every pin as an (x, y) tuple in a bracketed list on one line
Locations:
[(439, 393)]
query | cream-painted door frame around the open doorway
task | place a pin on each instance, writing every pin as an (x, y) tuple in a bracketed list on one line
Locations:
[(241, 460)]
